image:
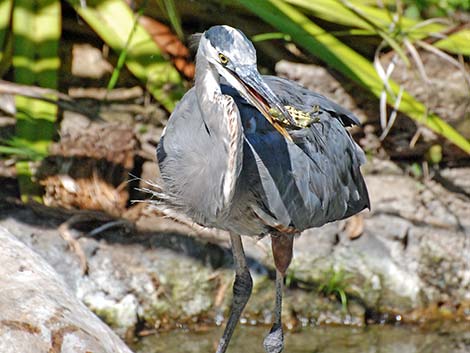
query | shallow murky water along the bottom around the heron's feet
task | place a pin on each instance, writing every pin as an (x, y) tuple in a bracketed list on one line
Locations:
[(373, 339)]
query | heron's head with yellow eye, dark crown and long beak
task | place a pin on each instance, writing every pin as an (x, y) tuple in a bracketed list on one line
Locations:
[(233, 56)]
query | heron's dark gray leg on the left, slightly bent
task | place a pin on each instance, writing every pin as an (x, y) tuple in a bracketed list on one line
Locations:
[(241, 291)]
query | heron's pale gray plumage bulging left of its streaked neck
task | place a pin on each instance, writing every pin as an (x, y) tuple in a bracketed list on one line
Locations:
[(192, 160)]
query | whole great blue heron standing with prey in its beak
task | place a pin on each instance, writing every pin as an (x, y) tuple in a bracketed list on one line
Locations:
[(233, 156)]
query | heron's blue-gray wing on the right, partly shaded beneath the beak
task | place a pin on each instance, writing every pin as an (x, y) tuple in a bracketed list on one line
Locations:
[(312, 181)]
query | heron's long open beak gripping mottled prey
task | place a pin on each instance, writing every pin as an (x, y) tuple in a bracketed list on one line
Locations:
[(260, 95)]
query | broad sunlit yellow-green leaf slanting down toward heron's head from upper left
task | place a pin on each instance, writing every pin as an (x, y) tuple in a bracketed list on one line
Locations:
[(113, 21)]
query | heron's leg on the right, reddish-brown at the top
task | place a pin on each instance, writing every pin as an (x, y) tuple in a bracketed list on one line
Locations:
[(282, 253)]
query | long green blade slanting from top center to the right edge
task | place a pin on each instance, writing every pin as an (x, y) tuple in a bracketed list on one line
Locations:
[(339, 56)]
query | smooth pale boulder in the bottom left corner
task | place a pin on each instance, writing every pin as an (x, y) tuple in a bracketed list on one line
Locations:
[(38, 313)]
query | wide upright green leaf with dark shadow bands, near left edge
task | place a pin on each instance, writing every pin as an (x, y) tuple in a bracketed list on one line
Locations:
[(36, 35)]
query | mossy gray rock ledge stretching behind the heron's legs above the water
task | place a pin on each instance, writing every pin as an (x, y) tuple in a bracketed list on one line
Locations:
[(411, 255)]
